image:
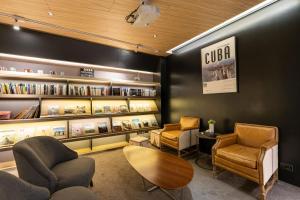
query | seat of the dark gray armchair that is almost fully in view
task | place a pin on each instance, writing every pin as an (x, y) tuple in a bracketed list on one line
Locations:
[(77, 172)]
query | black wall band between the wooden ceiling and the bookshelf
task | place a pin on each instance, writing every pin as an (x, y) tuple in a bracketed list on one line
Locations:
[(38, 44)]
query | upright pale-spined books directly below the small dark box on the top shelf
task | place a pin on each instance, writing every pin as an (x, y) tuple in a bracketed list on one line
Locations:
[(87, 90)]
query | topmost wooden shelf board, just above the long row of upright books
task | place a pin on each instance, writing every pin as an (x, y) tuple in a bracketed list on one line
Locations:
[(72, 79)]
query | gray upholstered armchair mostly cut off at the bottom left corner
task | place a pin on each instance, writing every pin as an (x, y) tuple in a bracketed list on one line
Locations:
[(13, 188)]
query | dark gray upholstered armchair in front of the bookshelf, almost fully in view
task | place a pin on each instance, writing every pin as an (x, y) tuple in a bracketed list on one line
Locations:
[(46, 162)]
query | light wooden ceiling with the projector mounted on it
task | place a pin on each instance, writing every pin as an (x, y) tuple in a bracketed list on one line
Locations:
[(179, 21)]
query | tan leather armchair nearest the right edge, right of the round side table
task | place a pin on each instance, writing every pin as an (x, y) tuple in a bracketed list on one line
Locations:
[(252, 152)]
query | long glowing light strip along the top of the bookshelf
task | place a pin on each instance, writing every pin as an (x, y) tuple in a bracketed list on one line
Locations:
[(70, 63)]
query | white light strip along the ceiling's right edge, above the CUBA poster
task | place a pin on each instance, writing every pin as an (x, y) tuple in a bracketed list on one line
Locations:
[(226, 23)]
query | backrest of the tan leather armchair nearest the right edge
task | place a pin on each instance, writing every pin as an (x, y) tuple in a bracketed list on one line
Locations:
[(255, 135)]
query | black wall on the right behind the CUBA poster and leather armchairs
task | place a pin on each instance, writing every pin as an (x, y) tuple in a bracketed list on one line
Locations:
[(268, 55)]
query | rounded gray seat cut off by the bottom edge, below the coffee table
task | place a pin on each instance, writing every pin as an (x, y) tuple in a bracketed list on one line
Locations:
[(74, 193)]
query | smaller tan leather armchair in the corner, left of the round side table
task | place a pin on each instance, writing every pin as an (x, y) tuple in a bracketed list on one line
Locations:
[(180, 136)]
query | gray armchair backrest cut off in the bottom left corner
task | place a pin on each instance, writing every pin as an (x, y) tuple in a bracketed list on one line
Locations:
[(13, 188)]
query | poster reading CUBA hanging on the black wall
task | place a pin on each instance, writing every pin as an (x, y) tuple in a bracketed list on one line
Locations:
[(219, 67)]
